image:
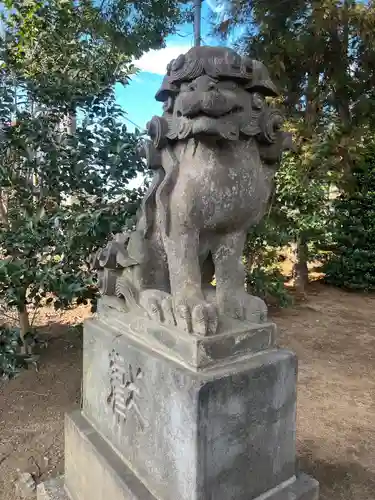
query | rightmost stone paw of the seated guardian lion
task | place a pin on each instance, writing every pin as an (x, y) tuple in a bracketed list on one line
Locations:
[(243, 306)]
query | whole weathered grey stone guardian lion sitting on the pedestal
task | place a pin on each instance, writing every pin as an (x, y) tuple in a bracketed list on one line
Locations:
[(214, 153)]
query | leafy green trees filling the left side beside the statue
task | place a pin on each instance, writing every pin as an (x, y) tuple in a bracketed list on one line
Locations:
[(66, 156)]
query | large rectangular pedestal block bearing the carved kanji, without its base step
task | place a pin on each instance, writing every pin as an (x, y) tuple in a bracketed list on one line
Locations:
[(226, 432)]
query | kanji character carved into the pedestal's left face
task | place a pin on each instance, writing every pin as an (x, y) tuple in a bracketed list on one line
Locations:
[(125, 391)]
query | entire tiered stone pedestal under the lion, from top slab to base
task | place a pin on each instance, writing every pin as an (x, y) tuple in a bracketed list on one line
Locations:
[(169, 416)]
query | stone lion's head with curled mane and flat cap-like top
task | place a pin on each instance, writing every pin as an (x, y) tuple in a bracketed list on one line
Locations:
[(214, 92)]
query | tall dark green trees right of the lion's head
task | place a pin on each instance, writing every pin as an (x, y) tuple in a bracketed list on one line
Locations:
[(322, 54)]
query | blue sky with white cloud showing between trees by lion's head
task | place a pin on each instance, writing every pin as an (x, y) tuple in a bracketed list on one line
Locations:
[(137, 98)]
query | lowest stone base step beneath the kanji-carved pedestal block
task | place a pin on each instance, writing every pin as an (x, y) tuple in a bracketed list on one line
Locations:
[(94, 471)]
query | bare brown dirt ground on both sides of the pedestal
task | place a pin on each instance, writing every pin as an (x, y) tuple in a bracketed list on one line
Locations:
[(333, 334)]
